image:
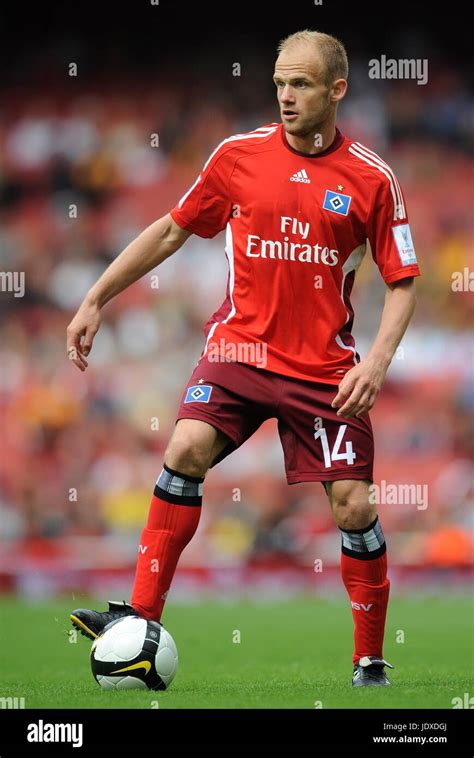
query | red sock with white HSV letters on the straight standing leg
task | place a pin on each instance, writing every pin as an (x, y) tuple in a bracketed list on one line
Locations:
[(368, 587)]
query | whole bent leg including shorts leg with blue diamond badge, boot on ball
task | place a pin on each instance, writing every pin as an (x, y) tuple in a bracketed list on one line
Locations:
[(222, 406)]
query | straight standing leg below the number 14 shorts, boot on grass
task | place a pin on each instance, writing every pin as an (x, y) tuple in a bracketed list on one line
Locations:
[(364, 573)]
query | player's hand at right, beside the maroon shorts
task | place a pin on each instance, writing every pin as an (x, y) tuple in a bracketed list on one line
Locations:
[(359, 388)]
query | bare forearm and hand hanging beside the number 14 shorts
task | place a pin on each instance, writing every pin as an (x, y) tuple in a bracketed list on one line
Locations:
[(359, 388)]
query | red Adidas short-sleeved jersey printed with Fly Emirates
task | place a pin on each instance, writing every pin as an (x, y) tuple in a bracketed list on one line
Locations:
[(297, 227)]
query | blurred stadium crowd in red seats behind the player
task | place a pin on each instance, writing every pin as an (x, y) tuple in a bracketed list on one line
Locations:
[(80, 176)]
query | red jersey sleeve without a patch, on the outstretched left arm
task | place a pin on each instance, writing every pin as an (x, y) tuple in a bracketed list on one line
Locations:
[(206, 207)]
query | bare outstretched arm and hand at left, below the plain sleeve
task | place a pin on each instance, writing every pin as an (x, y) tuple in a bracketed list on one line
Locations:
[(156, 243)]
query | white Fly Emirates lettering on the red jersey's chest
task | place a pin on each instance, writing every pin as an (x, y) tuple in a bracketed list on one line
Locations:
[(288, 250)]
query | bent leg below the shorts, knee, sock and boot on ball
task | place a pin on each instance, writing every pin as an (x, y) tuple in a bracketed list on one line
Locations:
[(172, 521)]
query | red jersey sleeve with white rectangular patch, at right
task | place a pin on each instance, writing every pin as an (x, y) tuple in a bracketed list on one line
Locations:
[(389, 231)]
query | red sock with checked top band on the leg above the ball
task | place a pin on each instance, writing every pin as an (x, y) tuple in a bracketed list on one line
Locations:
[(172, 521)]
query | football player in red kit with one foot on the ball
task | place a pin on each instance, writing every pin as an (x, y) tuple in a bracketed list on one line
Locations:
[(299, 201)]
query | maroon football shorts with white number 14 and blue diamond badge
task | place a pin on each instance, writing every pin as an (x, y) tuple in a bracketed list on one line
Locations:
[(318, 445)]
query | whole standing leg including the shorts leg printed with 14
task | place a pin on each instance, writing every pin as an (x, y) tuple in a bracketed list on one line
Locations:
[(321, 446)]
